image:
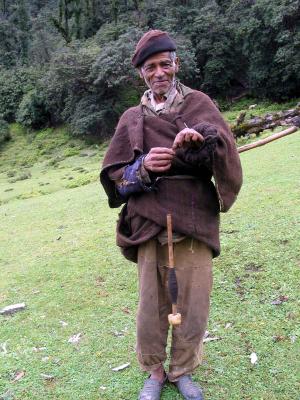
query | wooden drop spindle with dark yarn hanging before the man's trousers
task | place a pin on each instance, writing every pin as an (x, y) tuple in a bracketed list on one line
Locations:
[(175, 317)]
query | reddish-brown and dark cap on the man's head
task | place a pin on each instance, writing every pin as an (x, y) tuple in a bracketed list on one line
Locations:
[(152, 42)]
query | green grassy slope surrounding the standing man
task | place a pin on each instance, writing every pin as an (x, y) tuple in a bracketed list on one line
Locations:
[(58, 255)]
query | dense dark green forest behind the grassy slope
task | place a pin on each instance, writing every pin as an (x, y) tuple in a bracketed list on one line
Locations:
[(69, 61)]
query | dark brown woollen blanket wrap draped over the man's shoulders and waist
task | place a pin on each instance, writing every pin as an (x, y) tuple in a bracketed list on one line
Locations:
[(193, 203)]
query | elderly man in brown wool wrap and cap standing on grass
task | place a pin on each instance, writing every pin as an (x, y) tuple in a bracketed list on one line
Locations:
[(161, 160)]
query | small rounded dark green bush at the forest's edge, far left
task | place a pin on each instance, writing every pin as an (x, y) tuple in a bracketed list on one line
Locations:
[(32, 111)]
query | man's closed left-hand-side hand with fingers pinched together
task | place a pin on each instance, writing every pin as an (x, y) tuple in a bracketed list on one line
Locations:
[(159, 159)]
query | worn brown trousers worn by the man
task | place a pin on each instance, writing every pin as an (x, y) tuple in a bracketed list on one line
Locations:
[(193, 262)]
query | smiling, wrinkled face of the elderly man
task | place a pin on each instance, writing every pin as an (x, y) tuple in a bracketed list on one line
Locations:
[(158, 72)]
